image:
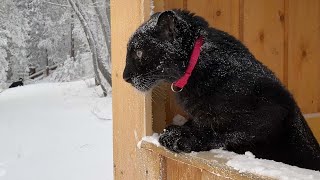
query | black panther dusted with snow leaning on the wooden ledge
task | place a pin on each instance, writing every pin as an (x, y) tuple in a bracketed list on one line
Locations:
[(235, 101)]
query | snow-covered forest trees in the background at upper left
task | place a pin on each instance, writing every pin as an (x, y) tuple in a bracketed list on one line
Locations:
[(73, 35)]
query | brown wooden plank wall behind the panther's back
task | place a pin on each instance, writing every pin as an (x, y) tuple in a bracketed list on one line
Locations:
[(283, 34)]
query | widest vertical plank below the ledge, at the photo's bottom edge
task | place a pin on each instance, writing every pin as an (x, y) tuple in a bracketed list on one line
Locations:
[(179, 171)]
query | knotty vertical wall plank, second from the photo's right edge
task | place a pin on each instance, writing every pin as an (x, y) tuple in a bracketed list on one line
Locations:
[(263, 32)]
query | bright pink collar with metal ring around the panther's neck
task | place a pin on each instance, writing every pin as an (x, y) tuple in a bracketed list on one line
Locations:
[(178, 85)]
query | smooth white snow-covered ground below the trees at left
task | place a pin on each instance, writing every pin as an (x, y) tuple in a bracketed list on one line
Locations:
[(55, 131)]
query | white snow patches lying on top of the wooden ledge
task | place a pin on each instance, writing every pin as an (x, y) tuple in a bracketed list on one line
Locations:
[(248, 163)]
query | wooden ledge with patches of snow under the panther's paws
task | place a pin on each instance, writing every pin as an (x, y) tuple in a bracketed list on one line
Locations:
[(230, 165)]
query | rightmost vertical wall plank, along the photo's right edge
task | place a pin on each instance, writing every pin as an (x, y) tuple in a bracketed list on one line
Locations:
[(304, 53)]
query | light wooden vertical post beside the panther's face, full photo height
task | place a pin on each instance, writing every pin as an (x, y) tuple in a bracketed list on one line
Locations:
[(131, 109)]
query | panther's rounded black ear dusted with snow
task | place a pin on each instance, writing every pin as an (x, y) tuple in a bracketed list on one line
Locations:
[(166, 25)]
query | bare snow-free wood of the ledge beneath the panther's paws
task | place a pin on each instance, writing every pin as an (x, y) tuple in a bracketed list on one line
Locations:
[(204, 161)]
